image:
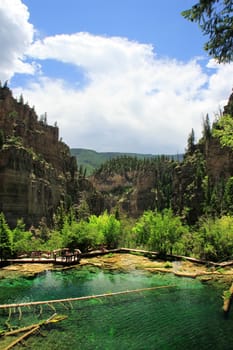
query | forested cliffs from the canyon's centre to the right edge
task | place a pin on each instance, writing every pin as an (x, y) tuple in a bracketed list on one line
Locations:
[(202, 184)]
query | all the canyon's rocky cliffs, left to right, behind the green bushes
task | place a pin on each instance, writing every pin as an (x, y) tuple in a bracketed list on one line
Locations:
[(37, 173)]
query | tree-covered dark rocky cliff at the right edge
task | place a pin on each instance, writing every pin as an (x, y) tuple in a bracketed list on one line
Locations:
[(202, 182)]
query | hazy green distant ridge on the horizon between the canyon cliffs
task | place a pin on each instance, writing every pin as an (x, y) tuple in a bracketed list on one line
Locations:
[(90, 159)]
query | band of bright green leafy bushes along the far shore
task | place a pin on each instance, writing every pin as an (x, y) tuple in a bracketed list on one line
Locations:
[(163, 232)]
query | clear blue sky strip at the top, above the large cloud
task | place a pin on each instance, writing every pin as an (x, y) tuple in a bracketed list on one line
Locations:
[(156, 22)]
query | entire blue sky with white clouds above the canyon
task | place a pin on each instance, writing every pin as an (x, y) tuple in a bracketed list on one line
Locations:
[(115, 75)]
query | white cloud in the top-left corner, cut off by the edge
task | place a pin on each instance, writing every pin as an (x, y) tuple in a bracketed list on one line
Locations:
[(16, 34)]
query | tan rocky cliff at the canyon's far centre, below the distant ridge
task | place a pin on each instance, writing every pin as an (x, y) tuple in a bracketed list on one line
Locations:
[(132, 192)]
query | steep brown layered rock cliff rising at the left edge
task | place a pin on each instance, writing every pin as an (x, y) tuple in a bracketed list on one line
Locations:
[(36, 169)]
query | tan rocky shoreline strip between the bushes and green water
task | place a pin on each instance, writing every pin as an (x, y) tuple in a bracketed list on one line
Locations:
[(128, 262)]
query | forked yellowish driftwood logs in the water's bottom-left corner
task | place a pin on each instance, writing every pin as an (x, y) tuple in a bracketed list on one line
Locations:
[(30, 330)]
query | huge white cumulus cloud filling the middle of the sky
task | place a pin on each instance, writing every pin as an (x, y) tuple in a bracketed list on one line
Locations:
[(134, 101)]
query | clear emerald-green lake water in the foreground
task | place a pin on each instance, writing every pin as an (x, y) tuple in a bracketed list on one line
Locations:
[(188, 316)]
